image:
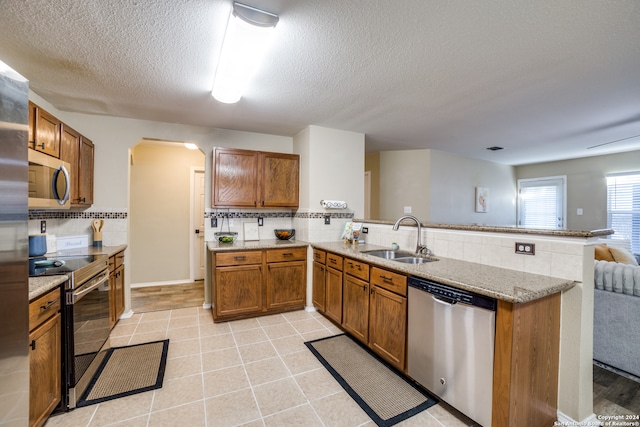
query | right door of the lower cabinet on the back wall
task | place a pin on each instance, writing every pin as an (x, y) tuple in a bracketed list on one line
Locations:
[(286, 284)]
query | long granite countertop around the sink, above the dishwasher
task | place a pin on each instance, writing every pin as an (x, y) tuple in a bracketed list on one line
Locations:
[(500, 283)]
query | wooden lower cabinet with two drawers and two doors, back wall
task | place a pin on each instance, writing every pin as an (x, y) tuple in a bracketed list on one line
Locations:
[(254, 283)]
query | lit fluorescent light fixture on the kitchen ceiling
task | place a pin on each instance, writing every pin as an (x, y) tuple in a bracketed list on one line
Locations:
[(249, 34)]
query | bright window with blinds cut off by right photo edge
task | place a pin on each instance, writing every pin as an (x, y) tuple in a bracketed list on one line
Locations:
[(623, 207)]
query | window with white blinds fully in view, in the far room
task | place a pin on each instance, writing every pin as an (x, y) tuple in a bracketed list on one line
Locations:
[(541, 202)]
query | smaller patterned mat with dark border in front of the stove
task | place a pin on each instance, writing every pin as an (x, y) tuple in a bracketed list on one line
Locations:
[(126, 371)]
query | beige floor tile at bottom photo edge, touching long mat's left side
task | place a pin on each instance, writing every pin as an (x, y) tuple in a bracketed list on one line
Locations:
[(339, 410)]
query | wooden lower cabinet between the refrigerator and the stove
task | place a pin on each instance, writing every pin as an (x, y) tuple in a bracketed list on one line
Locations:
[(45, 366)]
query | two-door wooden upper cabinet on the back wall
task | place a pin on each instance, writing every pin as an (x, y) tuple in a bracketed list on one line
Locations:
[(245, 178)]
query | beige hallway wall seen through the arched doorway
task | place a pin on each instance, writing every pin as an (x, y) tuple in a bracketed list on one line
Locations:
[(160, 209)]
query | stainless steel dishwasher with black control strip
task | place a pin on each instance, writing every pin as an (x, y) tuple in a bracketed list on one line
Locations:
[(451, 335)]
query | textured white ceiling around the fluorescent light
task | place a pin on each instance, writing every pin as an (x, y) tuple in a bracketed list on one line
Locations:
[(543, 79)]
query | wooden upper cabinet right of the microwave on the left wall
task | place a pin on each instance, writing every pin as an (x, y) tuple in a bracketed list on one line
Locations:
[(78, 152)]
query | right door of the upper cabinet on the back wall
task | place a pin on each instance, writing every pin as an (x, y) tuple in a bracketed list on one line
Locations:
[(280, 180)]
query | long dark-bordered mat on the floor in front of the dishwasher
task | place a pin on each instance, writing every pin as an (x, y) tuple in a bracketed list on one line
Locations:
[(381, 392)]
